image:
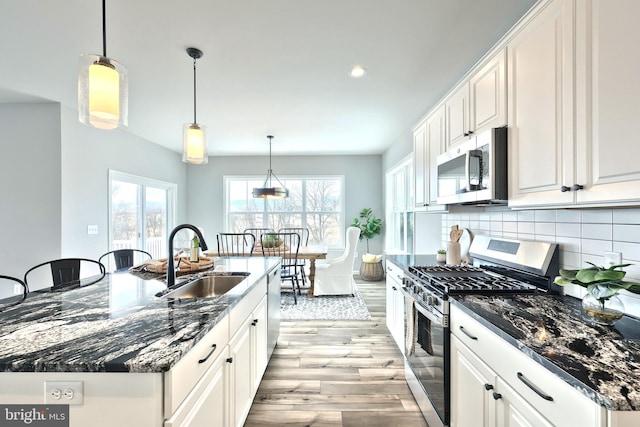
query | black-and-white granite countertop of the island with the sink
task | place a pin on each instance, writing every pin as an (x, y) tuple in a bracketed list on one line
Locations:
[(115, 325)]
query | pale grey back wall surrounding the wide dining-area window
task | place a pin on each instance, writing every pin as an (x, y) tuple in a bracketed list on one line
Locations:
[(363, 186)]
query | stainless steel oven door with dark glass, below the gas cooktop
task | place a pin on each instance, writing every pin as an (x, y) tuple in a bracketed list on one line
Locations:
[(427, 356)]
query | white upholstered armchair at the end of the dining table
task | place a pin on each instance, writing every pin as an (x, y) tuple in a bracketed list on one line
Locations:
[(336, 276)]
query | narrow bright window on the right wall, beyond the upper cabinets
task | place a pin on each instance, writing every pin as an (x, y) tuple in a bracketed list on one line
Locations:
[(399, 183)]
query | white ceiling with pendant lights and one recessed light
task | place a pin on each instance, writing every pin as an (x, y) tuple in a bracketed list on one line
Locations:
[(269, 66)]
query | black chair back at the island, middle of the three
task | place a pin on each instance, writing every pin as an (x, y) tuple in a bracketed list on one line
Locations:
[(63, 272)]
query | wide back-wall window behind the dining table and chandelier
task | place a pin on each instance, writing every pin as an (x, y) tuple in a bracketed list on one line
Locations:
[(314, 202)]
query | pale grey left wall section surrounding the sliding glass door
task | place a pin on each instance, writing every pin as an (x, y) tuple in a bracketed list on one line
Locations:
[(87, 156)]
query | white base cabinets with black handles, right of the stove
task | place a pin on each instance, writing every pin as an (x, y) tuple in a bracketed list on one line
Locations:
[(501, 386)]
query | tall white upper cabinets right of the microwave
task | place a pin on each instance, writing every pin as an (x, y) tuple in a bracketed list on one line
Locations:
[(572, 94)]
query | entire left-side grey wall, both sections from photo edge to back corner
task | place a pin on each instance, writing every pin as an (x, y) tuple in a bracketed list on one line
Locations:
[(54, 173)]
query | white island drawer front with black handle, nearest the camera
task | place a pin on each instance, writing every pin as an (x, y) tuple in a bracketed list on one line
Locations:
[(183, 377)]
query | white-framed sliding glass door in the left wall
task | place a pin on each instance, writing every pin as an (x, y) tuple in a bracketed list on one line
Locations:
[(141, 213)]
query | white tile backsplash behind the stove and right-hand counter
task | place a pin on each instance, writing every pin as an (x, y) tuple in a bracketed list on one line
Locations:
[(583, 235)]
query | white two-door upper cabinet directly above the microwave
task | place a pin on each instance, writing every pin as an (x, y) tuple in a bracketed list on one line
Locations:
[(480, 103)]
